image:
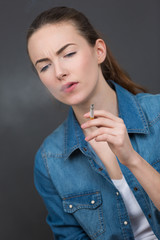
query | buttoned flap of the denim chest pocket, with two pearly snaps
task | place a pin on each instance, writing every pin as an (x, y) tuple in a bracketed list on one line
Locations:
[(86, 200)]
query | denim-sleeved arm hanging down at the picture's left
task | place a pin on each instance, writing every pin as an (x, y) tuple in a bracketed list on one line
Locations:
[(63, 225)]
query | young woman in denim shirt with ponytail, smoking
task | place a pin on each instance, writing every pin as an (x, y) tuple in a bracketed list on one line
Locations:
[(99, 178)]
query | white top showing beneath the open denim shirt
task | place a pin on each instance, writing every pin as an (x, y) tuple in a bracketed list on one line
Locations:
[(140, 225)]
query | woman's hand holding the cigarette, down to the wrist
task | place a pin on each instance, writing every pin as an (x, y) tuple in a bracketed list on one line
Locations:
[(111, 129)]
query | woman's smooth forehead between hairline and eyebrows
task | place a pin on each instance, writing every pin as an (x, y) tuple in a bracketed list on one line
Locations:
[(53, 36)]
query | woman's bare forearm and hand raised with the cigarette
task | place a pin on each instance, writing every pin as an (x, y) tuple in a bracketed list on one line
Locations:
[(112, 130)]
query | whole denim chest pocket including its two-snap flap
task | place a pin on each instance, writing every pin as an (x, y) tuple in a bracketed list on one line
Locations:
[(87, 209)]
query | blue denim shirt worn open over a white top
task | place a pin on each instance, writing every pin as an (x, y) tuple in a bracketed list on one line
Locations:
[(81, 200)]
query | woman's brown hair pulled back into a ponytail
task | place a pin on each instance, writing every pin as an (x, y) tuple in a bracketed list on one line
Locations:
[(110, 68)]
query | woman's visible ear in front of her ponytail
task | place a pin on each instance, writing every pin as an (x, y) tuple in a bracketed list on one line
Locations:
[(101, 50)]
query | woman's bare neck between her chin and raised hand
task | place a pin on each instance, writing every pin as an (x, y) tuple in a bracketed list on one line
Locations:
[(104, 99)]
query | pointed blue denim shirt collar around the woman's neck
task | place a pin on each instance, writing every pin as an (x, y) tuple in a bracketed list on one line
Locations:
[(129, 110)]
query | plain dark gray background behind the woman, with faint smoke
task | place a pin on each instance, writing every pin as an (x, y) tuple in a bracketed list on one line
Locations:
[(28, 113)]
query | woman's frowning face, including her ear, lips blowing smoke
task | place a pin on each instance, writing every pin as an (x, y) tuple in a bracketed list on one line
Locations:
[(66, 64)]
